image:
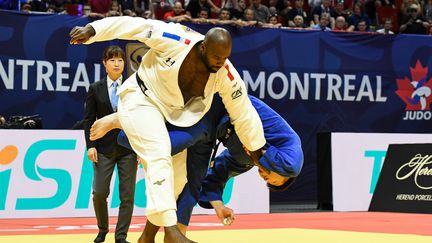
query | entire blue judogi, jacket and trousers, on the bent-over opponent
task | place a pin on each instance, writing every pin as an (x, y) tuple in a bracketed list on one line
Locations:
[(283, 153)]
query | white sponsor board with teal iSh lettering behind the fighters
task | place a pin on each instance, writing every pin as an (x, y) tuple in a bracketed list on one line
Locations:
[(46, 173)]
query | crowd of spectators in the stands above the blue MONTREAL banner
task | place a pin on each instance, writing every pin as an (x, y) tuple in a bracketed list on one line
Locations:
[(371, 16)]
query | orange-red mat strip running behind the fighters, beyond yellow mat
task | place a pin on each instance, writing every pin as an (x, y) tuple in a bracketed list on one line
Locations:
[(395, 223)]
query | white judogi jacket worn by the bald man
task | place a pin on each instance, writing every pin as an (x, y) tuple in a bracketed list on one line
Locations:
[(169, 45)]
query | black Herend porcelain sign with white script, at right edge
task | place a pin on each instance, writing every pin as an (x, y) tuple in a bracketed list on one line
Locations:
[(405, 182)]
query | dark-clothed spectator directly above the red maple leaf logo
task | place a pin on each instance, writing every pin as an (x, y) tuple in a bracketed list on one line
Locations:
[(413, 23)]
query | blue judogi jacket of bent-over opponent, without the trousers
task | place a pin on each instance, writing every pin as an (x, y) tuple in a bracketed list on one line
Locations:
[(283, 154)]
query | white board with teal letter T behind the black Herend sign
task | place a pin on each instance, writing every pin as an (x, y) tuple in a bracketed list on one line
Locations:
[(357, 160)]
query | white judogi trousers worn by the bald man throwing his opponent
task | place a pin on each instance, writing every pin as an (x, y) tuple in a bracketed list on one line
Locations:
[(145, 128)]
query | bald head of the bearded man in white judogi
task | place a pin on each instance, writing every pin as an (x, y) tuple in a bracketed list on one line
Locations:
[(216, 48)]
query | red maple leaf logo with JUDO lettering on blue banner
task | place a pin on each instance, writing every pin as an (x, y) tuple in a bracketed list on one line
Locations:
[(416, 93)]
